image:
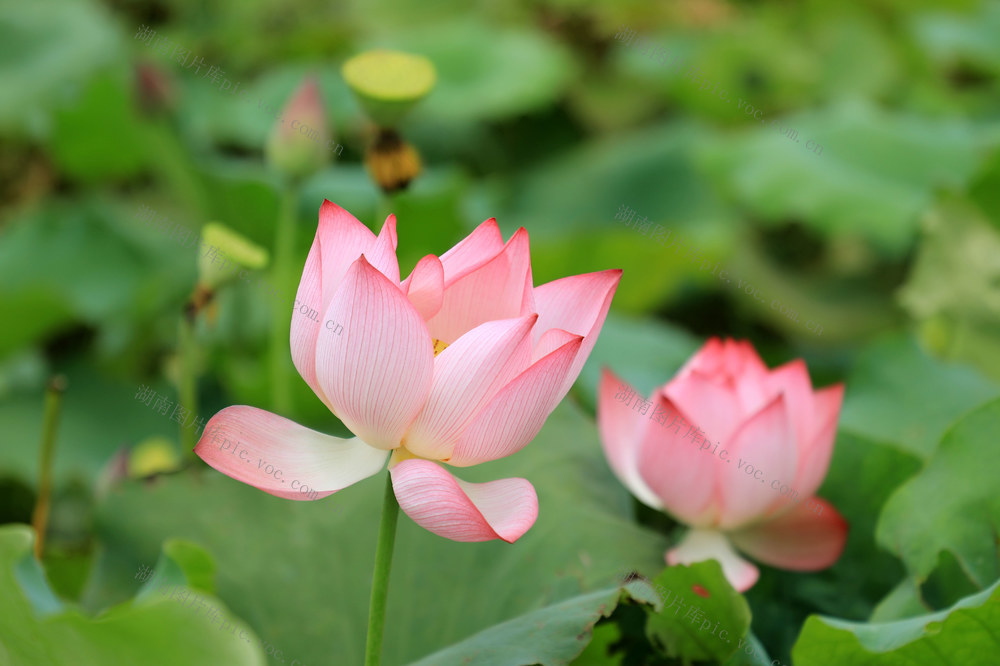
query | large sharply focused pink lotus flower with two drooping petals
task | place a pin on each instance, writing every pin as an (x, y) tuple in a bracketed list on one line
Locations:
[(459, 363)]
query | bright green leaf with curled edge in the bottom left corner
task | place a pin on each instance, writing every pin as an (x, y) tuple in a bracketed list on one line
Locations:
[(37, 629)]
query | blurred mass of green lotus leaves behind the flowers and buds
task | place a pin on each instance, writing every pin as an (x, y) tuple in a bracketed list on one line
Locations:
[(888, 239)]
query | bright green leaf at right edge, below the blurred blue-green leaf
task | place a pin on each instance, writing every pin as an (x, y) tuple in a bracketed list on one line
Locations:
[(952, 504)]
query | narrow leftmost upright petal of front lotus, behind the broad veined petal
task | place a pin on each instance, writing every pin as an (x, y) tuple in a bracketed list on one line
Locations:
[(304, 329)]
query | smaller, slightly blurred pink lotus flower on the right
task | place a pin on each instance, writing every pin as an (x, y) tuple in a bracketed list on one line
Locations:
[(767, 435)]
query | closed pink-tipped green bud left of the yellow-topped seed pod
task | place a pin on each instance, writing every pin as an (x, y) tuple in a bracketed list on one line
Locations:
[(300, 143)]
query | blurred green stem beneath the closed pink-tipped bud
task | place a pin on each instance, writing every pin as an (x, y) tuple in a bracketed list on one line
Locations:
[(284, 244)]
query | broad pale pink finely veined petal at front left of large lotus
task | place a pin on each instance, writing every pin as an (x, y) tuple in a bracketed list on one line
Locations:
[(377, 373)]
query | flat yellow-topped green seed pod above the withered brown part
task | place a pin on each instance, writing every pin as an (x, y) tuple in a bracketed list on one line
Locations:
[(389, 83)]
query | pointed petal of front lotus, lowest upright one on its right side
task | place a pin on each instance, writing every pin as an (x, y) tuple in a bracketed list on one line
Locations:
[(516, 414)]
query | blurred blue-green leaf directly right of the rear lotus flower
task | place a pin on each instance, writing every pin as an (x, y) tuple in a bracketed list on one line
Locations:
[(898, 394)]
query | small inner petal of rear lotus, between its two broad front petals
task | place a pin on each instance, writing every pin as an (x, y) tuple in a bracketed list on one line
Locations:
[(711, 405)]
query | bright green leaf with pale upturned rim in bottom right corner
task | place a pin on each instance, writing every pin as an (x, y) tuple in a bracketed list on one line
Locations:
[(963, 634)]
